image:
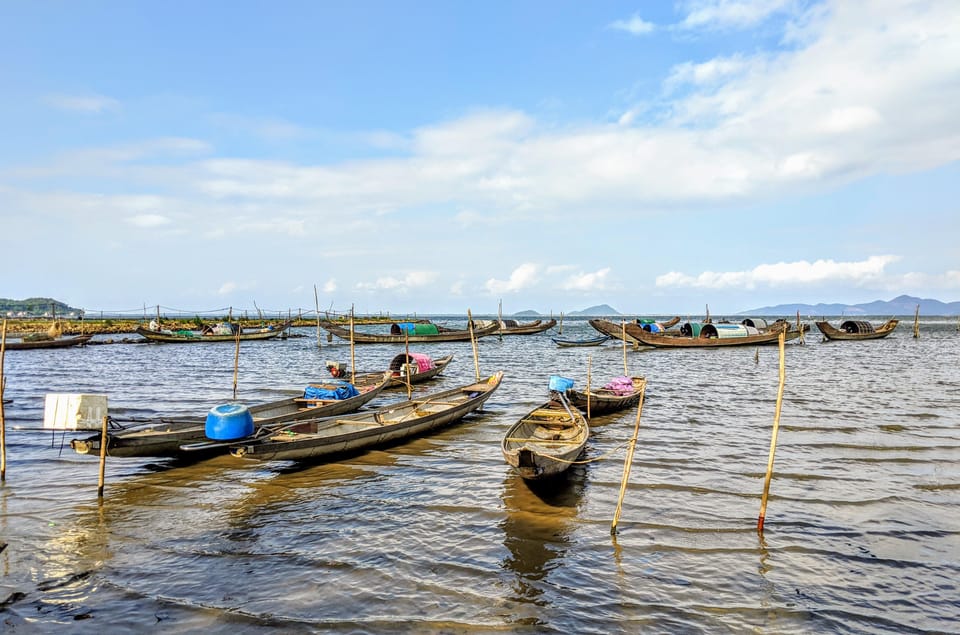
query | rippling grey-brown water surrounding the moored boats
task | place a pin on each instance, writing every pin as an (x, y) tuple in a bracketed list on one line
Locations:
[(436, 535)]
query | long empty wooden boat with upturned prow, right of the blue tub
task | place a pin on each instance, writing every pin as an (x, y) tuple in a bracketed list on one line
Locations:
[(322, 438)]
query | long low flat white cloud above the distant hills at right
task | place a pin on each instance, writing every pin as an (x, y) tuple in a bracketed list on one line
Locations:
[(784, 273)]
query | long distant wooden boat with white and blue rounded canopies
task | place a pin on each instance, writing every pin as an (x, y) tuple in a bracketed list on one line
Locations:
[(710, 335)]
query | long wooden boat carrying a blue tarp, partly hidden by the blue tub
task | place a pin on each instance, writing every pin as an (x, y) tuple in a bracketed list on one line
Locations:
[(163, 436)]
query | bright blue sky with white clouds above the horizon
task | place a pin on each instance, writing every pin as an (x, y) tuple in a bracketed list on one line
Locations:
[(434, 156)]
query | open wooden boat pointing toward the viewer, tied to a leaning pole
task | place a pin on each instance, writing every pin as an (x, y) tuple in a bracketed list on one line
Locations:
[(546, 441)]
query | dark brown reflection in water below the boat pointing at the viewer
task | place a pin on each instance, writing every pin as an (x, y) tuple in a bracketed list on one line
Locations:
[(538, 525)]
